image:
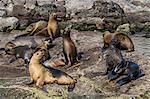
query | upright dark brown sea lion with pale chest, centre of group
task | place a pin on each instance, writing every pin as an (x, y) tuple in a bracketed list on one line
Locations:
[(69, 48)]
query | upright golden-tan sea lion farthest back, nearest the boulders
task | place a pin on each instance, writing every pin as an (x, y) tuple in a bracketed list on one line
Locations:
[(52, 27)]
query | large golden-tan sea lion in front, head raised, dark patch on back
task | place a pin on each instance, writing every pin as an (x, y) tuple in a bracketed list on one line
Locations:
[(47, 75)]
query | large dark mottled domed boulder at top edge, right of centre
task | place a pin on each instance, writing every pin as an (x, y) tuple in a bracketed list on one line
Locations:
[(102, 9)]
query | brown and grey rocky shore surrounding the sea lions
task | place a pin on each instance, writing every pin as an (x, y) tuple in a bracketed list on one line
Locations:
[(88, 23)]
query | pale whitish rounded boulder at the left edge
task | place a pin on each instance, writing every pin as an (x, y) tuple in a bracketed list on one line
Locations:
[(8, 24)]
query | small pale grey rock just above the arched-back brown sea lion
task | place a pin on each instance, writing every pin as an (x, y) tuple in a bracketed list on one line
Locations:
[(125, 28)]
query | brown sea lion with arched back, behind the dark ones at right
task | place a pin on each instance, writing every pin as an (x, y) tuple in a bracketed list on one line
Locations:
[(123, 40)]
